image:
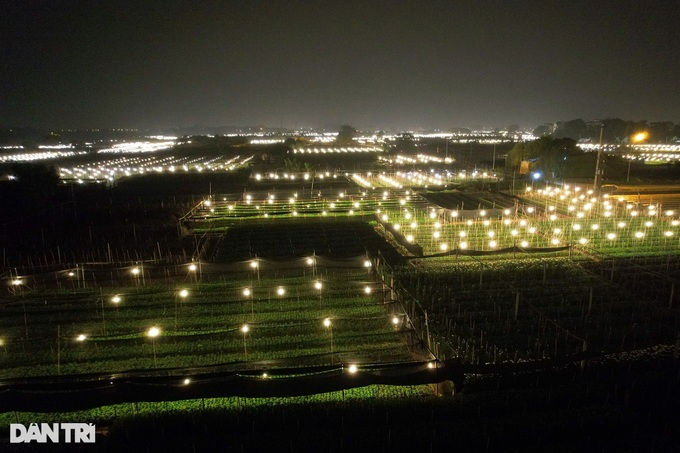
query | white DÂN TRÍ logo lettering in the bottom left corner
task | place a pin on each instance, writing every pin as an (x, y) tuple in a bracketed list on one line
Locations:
[(52, 432)]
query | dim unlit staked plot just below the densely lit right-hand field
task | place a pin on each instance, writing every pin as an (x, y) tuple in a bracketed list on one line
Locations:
[(531, 309)]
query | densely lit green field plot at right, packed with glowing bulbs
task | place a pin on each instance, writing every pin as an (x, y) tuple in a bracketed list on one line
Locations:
[(546, 221)]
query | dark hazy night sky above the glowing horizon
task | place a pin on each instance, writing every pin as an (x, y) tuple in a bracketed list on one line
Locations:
[(375, 65)]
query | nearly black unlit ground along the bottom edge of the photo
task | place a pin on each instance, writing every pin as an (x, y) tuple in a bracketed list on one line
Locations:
[(623, 405)]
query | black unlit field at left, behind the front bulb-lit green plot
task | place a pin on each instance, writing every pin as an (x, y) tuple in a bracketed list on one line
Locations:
[(136, 220)]
